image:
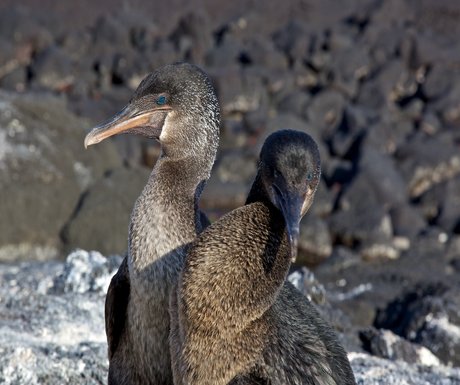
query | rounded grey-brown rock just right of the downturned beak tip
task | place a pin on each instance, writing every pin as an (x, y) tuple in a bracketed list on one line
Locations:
[(315, 244)]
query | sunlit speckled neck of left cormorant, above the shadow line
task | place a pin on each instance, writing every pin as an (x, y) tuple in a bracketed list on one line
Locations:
[(165, 214)]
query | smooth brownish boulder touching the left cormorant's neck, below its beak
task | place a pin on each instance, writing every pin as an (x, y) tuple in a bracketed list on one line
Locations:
[(101, 222)]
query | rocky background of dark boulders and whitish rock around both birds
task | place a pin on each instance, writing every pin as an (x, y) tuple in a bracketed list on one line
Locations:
[(377, 83)]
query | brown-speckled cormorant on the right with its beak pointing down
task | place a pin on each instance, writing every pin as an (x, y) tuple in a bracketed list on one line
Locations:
[(234, 317)]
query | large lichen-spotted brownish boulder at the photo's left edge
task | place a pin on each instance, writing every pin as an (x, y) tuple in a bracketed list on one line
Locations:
[(42, 156)]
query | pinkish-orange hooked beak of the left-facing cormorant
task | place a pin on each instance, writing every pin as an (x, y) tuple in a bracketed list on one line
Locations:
[(130, 120)]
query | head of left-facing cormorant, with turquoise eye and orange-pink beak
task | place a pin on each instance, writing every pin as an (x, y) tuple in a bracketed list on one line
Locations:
[(167, 106)]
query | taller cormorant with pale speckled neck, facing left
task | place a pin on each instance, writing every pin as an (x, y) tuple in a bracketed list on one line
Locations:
[(176, 105)]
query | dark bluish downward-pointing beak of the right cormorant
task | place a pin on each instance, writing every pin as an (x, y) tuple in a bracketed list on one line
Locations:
[(291, 207)]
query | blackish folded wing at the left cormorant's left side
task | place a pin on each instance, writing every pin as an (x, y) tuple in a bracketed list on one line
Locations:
[(116, 304)]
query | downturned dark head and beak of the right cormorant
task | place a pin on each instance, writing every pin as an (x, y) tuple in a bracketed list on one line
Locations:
[(291, 168)]
